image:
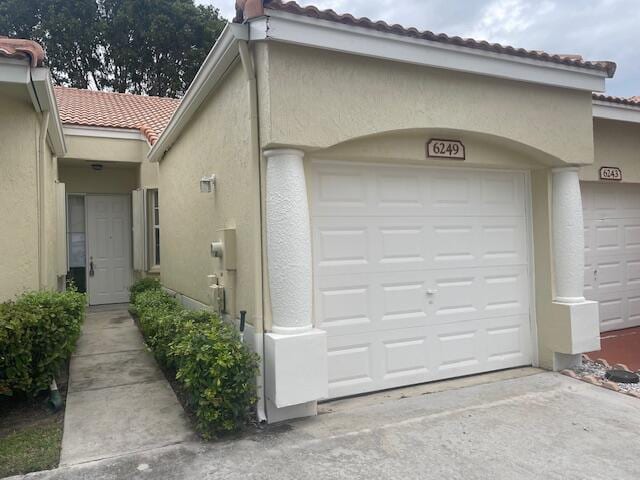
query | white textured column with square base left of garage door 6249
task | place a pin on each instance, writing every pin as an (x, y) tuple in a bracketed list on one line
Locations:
[(296, 365)]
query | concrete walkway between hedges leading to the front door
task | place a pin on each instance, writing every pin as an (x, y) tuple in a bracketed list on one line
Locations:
[(119, 401)]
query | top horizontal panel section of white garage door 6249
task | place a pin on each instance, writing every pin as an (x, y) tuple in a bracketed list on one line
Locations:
[(343, 189)]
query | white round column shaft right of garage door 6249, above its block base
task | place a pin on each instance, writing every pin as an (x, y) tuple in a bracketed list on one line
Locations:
[(568, 236)]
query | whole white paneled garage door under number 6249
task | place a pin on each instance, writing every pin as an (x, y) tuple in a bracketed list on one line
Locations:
[(420, 273)]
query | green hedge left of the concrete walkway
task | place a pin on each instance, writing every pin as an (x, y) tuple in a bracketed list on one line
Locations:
[(38, 333)]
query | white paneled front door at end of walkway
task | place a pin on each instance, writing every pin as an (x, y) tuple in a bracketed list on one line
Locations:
[(108, 248)]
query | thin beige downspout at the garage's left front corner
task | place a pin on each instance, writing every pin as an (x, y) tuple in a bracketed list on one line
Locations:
[(250, 72)]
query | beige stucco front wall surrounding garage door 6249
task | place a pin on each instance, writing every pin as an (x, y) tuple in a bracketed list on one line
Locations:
[(358, 109)]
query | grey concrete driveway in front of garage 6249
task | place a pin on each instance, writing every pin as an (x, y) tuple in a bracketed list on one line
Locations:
[(543, 425)]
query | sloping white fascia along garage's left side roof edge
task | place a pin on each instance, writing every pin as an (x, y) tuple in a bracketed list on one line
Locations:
[(223, 54)]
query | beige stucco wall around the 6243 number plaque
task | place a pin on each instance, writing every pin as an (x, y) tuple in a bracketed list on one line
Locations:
[(617, 144)]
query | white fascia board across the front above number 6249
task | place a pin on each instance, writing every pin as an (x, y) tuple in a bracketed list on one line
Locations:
[(297, 29)]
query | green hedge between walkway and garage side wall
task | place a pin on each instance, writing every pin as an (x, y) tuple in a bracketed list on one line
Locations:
[(214, 369)]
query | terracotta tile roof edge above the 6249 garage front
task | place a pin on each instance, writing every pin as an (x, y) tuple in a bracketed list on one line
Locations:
[(247, 9)]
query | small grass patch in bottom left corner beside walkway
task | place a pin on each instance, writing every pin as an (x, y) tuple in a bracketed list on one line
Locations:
[(30, 449)]
